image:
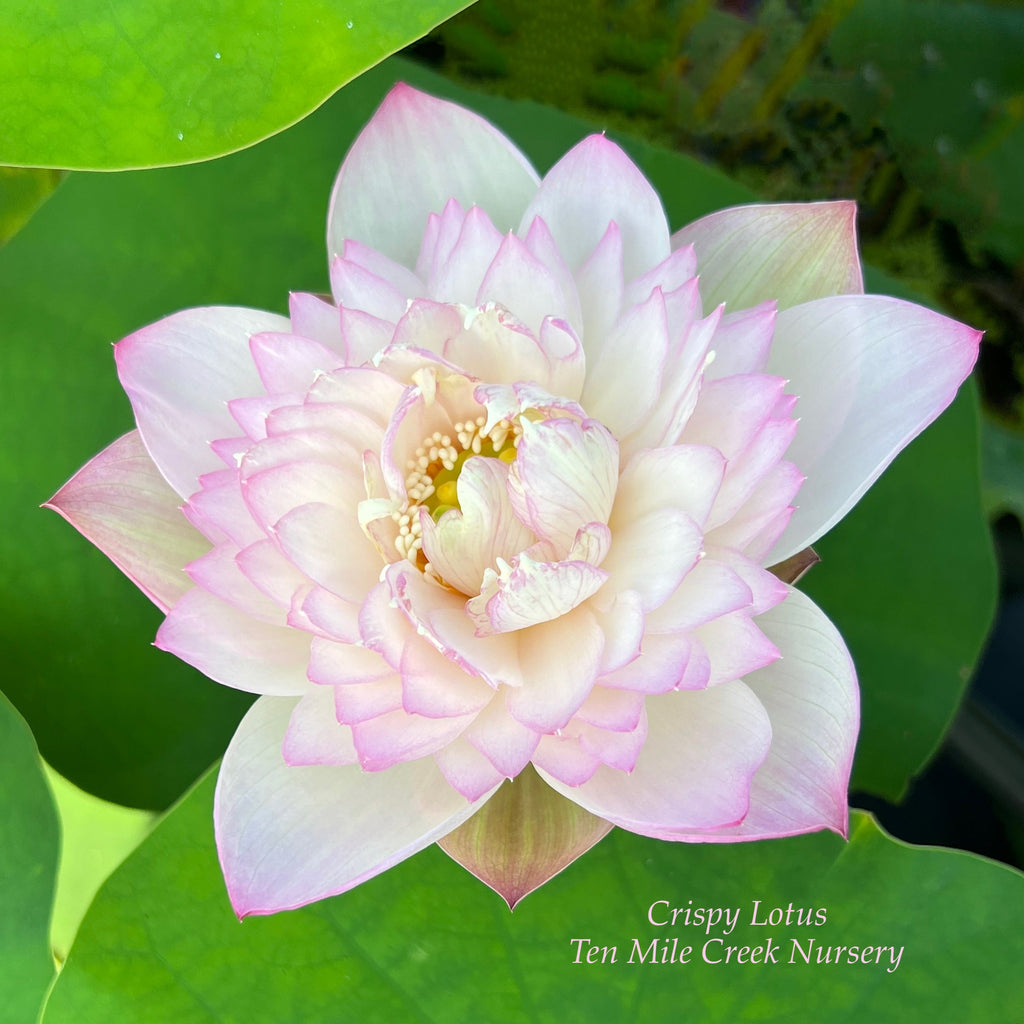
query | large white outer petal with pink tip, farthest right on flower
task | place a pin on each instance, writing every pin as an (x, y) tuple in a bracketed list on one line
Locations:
[(872, 373)]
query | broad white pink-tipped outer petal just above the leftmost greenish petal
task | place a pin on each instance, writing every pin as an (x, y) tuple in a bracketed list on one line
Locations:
[(180, 373)]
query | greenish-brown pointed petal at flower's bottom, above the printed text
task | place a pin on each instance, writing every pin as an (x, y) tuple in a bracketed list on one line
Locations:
[(523, 837)]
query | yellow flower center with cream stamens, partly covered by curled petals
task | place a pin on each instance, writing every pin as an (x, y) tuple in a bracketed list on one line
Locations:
[(433, 477)]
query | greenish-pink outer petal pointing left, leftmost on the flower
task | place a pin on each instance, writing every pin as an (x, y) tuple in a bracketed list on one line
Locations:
[(120, 502)]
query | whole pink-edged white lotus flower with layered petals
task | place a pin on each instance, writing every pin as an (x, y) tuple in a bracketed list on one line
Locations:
[(489, 531)]
